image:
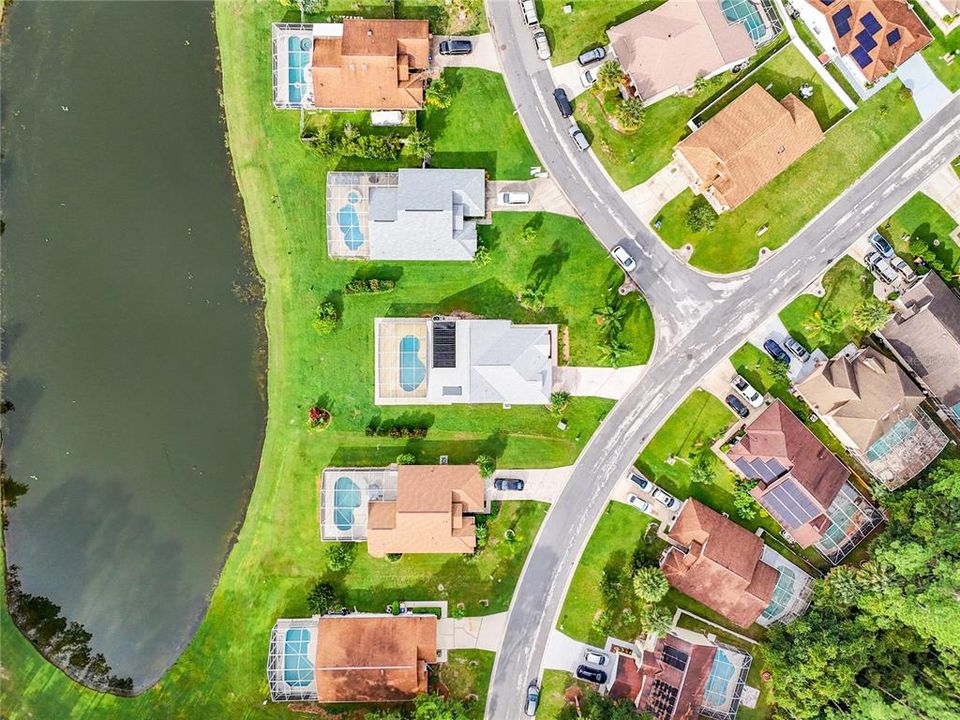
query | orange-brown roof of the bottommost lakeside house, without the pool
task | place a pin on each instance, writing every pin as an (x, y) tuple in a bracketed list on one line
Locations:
[(374, 658)]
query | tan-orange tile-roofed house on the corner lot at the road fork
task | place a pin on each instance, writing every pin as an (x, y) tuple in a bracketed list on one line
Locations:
[(746, 145)]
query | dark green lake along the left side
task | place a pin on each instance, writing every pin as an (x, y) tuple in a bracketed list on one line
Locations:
[(132, 350)]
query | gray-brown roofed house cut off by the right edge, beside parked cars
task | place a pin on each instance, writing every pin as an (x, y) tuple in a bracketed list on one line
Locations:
[(924, 334)]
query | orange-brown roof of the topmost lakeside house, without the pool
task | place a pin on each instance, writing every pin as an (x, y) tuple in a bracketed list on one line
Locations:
[(375, 65)]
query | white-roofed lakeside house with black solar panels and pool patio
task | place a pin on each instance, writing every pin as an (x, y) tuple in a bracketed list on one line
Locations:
[(441, 361)]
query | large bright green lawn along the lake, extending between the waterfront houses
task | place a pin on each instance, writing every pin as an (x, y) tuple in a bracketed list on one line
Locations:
[(278, 556)]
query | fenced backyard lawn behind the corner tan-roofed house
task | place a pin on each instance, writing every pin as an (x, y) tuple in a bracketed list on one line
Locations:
[(781, 75)]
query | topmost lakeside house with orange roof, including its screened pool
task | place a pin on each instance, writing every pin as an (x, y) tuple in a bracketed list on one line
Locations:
[(359, 64)]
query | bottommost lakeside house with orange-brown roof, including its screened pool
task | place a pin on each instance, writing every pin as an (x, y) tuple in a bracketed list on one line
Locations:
[(351, 658)]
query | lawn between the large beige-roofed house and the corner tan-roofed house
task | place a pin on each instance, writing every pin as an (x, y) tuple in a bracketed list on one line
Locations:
[(632, 158)]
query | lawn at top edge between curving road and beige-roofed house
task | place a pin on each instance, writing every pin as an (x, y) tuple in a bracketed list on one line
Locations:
[(586, 27)]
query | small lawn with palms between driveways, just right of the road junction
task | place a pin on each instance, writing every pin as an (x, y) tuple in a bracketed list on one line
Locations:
[(846, 285)]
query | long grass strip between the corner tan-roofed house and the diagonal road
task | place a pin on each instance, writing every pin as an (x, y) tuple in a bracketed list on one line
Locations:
[(794, 197)]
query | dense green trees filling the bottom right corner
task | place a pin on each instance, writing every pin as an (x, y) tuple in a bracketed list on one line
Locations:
[(882, 641)]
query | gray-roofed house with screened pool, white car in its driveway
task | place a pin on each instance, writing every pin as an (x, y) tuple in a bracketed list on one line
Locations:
[(413, 214)]
